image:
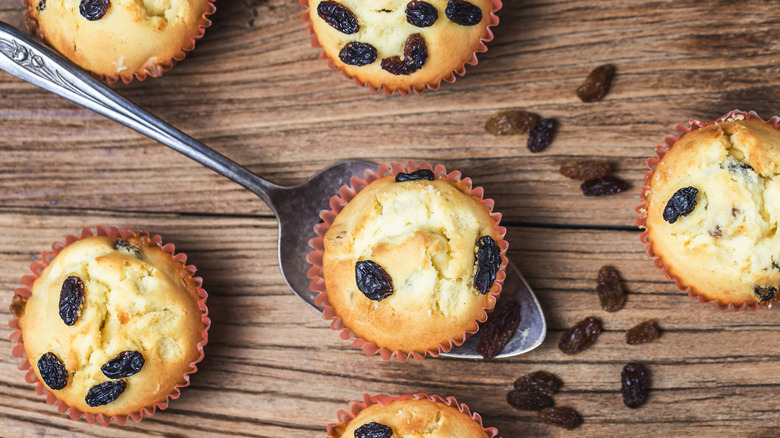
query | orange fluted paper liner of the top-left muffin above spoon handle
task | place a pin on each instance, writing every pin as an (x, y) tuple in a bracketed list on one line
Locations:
[(153, 71)]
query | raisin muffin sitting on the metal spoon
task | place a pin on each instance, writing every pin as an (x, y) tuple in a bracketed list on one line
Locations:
[(413, 262)]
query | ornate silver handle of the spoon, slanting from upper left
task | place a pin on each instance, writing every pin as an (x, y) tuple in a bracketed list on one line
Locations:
[(31, 61)]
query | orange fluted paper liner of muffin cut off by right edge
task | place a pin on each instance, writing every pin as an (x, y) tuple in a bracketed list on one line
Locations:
[(641, 222)]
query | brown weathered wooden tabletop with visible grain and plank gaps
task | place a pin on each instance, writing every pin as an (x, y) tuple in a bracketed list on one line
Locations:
[(255, 90)]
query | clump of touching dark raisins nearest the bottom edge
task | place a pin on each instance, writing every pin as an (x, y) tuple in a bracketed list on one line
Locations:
[(534, 392)]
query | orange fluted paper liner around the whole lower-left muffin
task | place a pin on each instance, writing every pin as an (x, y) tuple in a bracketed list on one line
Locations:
[(23, 293)]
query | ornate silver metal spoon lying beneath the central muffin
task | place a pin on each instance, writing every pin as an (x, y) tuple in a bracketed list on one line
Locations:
[(296, 208)]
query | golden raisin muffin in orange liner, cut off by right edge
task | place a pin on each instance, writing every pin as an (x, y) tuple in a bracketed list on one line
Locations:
[(712, 210)]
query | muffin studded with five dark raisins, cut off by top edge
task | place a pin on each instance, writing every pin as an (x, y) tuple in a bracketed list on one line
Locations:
[(400, 44)]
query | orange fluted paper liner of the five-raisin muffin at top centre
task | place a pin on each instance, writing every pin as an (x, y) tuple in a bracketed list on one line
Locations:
[(449, 77)]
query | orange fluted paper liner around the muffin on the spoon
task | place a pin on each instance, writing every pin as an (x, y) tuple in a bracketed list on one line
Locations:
[(338, 202)]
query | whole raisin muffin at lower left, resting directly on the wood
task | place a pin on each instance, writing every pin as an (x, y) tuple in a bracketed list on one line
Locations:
[(114, 324)]
